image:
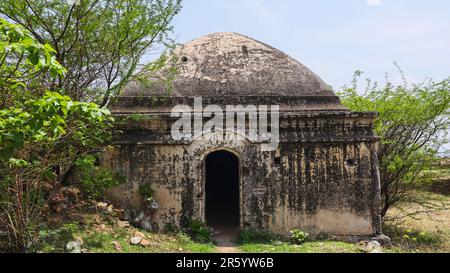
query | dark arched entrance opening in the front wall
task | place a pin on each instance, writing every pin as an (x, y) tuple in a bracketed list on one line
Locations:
[(222, 190)]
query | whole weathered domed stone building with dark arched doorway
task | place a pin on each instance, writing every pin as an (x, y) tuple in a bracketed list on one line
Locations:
[(322, 176)]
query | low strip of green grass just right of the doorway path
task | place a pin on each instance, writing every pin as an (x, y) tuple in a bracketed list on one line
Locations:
[(308, 247)]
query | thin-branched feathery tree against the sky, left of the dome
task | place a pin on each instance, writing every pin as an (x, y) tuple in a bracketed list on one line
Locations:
[(99, 42)]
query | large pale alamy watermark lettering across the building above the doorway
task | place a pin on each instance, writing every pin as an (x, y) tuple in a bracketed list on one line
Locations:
[(236, 122)]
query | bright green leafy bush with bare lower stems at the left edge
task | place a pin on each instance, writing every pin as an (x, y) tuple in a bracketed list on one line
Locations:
[(40, 135)]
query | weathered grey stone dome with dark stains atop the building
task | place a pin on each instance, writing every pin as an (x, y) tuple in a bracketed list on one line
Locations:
[(228, 69)]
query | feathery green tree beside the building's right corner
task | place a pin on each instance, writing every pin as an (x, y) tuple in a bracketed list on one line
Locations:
[(413, 125)]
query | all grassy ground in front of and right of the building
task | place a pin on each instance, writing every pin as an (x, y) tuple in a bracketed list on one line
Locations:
[(426, 232)]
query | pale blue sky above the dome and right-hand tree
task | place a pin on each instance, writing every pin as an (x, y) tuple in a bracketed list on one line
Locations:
[(336, 37)]
